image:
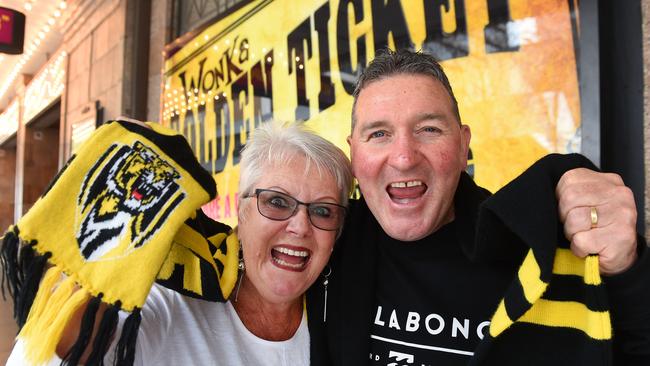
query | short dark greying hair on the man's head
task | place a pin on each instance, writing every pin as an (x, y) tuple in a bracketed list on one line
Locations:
[(388, 63)]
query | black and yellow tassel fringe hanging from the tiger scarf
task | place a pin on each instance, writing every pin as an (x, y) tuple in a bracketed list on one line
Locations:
[(45, 300)]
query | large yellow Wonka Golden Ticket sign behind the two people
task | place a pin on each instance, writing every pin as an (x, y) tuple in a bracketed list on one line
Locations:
[(511, 64)]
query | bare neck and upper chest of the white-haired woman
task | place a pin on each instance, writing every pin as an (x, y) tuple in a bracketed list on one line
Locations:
[(269, 321)]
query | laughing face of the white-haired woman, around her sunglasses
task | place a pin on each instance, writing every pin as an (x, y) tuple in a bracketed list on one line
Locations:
[(284, 258)]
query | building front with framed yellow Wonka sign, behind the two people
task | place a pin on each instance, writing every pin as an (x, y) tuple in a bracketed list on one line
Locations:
[(531, 77)]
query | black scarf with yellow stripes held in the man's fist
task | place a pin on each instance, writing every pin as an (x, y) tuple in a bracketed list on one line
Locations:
[(555, 311)]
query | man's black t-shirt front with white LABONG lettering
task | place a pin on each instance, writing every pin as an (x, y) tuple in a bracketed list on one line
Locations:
[(432, 304)]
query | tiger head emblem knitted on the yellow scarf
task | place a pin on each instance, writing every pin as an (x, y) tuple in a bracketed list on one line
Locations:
[(125, 196)]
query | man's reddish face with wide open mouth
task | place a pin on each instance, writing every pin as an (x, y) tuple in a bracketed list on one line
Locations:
[(408, 150)]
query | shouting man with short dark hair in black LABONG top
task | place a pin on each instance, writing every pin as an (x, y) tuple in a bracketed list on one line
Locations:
[(406, 287)]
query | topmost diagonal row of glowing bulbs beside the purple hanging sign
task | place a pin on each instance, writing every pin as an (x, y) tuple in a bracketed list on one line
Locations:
[(33, 46)]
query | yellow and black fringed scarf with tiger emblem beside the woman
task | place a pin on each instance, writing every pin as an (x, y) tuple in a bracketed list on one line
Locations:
[(120, 215)]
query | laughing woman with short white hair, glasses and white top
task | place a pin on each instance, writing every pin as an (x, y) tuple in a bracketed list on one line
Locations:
[(294, 187)]
